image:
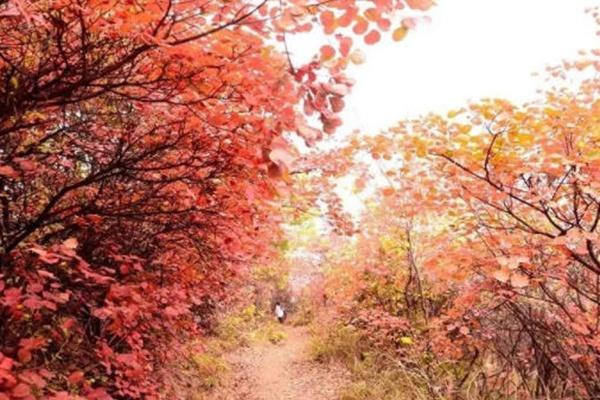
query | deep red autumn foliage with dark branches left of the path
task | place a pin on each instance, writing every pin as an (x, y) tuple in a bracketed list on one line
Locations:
[(140, 148)]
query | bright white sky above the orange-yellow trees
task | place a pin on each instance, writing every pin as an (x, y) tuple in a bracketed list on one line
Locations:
[(472, 49)]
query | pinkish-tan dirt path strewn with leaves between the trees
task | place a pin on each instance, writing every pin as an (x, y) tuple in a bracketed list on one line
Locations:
[(282, 372)]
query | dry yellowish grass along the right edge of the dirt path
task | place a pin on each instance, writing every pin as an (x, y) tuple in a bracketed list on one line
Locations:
[(382, 374)]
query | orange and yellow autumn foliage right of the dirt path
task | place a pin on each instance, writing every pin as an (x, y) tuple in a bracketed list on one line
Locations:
[(478, 245)]
